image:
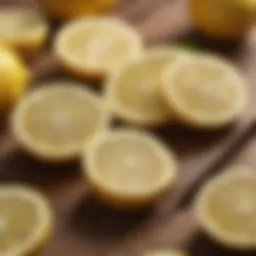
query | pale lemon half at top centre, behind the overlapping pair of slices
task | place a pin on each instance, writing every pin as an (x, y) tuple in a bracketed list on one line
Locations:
[(95, 47)]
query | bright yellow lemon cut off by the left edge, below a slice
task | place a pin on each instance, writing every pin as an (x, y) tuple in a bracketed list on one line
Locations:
[(14, 78)]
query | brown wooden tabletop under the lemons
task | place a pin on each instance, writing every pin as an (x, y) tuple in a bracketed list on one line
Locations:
[(84, 227)]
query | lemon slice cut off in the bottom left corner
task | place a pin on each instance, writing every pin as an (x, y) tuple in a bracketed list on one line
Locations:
[(26, 220)]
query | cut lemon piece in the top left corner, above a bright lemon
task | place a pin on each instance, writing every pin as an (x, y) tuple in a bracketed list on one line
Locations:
[(23, 29)]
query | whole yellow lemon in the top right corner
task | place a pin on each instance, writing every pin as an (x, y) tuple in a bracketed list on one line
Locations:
[(223, 19)]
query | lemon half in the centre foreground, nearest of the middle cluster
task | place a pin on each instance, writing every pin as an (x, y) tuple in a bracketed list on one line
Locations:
[(128, 169)]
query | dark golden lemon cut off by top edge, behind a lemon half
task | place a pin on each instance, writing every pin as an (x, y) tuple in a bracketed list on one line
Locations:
[(66, 9)]
